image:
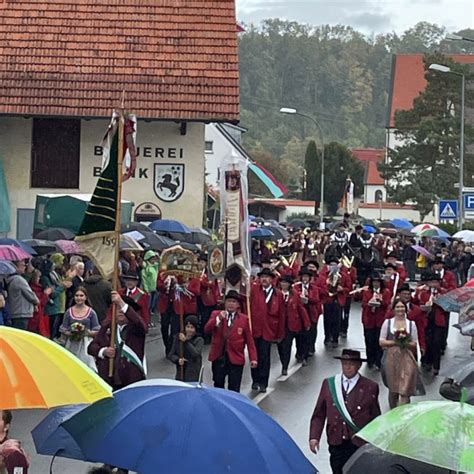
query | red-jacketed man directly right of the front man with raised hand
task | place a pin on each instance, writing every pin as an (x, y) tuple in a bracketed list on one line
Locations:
[(268, 324)]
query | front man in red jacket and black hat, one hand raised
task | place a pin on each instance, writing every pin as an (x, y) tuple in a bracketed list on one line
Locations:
[(230, 334)]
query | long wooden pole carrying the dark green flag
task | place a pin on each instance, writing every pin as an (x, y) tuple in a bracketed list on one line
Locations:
[(118, 213)]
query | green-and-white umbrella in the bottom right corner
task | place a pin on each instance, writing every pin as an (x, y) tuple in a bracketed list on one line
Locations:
[(435, 432)]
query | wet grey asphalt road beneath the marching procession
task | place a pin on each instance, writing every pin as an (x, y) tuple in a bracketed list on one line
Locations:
[(290, 400)]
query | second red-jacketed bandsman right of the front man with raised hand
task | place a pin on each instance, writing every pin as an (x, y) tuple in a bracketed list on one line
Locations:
[(297, 322)]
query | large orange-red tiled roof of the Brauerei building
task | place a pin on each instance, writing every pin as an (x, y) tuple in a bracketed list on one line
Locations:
[(175, 59)]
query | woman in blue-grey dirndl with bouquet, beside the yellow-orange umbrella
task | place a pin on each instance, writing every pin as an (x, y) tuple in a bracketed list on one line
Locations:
[(80, 325)]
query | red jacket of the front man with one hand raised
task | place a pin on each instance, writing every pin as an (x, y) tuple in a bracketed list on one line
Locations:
[(233, 340)]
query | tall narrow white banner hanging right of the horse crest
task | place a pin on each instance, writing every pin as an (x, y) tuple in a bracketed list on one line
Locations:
[(234, 213)]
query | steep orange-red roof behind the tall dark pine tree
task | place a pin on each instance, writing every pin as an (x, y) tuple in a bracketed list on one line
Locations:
[(408, 80)]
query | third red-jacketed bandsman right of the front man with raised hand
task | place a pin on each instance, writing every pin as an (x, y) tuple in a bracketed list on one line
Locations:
[(309, 295)]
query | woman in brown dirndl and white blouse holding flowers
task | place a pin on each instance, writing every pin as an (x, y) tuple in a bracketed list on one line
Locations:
[(399, 341)]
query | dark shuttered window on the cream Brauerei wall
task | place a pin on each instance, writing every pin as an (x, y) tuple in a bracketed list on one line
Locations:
[(55, 153)]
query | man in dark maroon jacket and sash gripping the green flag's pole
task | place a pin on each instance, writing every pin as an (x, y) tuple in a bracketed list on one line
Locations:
[(128, 351)]
